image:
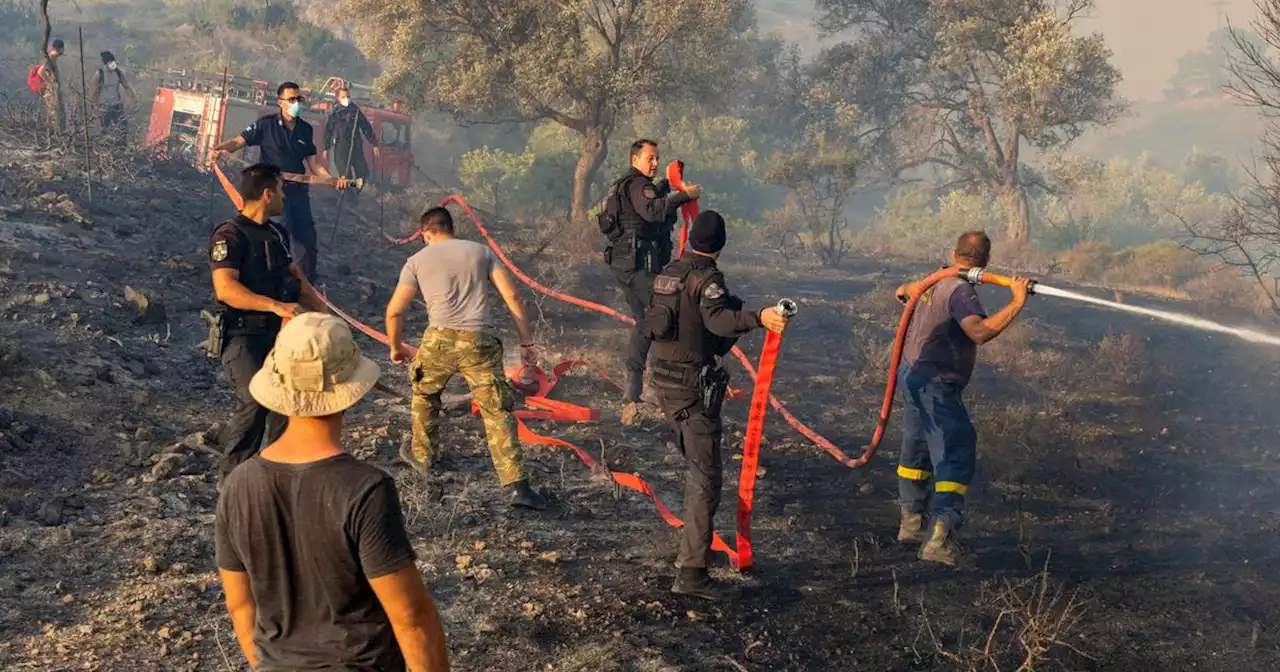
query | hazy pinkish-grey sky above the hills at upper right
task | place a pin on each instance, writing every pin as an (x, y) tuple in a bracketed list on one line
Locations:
[(1149, 36)]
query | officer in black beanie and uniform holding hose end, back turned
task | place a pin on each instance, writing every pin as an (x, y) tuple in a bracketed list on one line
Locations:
[(694, 322)]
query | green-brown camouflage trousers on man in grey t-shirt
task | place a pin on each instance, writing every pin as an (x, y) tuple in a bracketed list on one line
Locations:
[(478, 356)]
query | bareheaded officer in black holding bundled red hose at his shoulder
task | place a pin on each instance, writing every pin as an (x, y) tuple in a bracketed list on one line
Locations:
[(638, 221)]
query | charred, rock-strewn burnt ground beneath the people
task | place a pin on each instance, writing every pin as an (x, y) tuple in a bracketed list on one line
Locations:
[(1126, 510)]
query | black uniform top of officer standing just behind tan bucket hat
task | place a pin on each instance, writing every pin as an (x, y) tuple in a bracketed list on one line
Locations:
[(264, 271)]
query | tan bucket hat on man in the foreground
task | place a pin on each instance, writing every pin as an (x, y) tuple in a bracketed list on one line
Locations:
[(316, 369)]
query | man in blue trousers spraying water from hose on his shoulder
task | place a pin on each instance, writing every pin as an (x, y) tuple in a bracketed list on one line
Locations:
[(940, 445)]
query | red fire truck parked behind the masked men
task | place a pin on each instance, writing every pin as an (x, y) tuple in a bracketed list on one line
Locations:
[(190, 116)]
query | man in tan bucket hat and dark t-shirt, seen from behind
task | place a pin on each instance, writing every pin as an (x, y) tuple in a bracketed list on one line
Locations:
[(310, 542)]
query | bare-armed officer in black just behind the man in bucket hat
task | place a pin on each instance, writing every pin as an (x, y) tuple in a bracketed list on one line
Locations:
[(258, 285)]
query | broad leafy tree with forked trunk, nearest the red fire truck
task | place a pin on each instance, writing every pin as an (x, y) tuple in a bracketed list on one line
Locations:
[(584, 66)]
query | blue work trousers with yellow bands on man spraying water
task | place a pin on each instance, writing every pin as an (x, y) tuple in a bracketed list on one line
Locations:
[(940, 447)]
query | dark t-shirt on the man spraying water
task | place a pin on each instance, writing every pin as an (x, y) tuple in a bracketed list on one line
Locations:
[(936, 345)]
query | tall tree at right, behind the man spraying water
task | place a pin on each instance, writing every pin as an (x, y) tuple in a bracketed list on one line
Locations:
[(973, 81)]
